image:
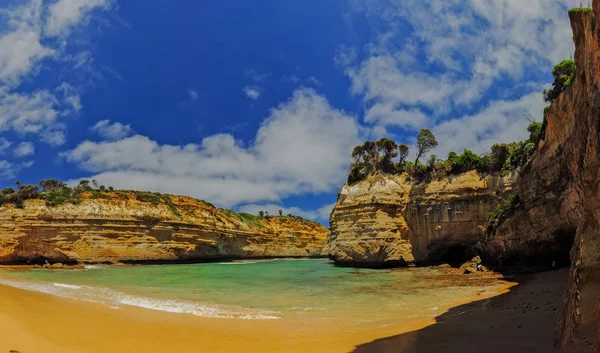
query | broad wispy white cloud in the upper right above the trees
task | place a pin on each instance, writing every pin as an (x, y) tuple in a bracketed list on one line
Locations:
[(451, 54)]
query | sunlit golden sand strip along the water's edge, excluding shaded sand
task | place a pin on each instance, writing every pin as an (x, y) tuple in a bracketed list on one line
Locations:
[(35, 322)]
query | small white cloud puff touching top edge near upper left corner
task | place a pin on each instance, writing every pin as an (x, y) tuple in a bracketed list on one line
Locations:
[(65, 14)]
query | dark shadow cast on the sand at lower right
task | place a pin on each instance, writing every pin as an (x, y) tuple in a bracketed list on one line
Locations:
[(519, 321)]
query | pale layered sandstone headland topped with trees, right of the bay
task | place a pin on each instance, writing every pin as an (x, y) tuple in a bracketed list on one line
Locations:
[(389, 221)]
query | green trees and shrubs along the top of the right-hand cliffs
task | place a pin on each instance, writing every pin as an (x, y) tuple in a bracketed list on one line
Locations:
[(386, 156)]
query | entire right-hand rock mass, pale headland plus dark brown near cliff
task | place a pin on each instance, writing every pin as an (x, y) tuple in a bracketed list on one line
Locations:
[(388, 220)]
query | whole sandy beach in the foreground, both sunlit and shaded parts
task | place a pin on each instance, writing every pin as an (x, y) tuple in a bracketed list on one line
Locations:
[(521, 320)]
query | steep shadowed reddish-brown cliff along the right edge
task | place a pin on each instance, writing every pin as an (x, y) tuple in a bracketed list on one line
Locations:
[(560, 190)]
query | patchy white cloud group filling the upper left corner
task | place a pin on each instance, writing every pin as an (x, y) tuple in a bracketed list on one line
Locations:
[(25, 42)]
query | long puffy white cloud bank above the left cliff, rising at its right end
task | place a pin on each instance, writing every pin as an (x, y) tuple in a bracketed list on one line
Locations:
[(302, 147)]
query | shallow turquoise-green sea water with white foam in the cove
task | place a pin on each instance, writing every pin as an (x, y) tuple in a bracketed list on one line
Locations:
[(302, 290)]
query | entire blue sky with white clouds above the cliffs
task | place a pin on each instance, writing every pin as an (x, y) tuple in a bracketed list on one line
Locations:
[(257, 104)]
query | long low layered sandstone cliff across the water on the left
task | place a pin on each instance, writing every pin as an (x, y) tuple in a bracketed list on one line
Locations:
[(120, 228)]
